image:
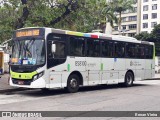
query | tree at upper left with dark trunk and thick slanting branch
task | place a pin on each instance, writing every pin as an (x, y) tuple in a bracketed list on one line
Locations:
[(16, 14)]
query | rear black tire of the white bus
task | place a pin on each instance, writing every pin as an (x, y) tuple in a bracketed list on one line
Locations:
[(129, 78)]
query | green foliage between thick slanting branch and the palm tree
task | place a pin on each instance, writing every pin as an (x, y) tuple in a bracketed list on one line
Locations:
[(87, 18)]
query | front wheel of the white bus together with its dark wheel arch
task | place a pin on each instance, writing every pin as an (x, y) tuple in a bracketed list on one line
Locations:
[(74, 80)]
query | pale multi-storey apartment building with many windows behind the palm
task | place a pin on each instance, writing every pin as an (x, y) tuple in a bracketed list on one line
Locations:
[(145, 16)]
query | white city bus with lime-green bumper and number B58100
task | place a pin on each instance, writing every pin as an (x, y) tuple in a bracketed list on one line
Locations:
[(53, 58)]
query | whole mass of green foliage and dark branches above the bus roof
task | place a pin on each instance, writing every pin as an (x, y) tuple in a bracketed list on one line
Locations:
[(78, 15)]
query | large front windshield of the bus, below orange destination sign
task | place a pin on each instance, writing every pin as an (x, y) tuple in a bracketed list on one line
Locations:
[(28, 52)]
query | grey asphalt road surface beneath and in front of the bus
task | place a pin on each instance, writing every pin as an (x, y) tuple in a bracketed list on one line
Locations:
[(143, 96)]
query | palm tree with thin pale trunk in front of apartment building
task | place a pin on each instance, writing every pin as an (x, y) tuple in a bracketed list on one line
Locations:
[(120, 6)]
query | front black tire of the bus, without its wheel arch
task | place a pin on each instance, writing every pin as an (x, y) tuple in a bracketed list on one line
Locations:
[(73, 83)]
